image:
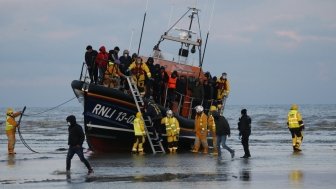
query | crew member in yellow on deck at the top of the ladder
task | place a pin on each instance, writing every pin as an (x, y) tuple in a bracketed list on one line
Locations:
[(138, 70)]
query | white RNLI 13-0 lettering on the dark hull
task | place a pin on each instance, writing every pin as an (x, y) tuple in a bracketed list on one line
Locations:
[(114, 114)]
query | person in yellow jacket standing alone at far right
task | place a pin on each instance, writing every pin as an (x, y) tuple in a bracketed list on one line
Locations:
[(295, 126)]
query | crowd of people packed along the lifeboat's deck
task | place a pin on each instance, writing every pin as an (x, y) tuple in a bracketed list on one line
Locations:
[(108, 69)]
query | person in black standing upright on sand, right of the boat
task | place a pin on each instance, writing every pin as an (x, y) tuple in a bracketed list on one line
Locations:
[(244, 127)]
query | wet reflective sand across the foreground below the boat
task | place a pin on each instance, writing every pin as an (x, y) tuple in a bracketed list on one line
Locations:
[(270, 166)]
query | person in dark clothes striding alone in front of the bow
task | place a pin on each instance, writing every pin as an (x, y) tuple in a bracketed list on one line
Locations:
[(75, 142)]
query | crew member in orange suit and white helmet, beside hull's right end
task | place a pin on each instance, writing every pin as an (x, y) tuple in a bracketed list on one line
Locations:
[(201, 130)]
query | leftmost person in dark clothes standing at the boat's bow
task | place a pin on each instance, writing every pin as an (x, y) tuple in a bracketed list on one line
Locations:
[(90, 56)]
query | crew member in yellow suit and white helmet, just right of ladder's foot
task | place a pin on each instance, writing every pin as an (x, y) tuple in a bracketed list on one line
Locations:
[(172, 131)]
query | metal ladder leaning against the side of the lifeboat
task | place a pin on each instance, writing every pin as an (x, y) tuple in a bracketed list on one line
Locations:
[(156, 145)]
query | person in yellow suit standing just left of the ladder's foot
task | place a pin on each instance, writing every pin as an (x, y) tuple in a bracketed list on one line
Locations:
[(139, 132)]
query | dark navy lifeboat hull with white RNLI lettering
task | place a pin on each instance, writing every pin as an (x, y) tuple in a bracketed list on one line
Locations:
[(108, 117)]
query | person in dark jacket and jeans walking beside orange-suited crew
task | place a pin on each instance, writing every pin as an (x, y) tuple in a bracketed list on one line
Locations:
[(222, 132)]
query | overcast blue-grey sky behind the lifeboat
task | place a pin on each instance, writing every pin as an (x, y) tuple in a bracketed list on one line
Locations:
[(275, 52)]
